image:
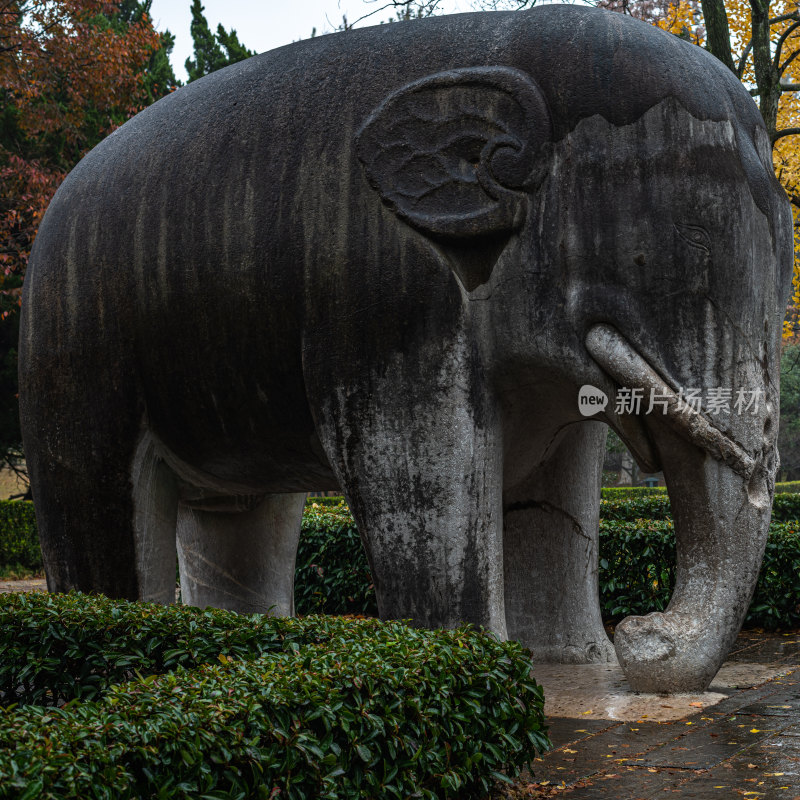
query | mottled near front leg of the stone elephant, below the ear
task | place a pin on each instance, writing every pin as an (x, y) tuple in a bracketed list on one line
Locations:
[(420, 463)]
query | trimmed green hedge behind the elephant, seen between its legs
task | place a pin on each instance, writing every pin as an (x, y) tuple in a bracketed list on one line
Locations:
[(636, 568)]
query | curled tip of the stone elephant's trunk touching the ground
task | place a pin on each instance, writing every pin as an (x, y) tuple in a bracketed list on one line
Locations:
[(661, 654)]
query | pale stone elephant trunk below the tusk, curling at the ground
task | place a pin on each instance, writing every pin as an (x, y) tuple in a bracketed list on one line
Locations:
[(721, 526)]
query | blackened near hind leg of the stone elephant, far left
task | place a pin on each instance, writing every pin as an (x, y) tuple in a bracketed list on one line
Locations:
[(106, 509)]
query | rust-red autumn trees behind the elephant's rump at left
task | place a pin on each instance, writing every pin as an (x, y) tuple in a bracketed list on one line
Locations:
[(70, 72)]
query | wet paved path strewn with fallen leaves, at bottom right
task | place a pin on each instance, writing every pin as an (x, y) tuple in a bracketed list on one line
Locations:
[(745, 746)]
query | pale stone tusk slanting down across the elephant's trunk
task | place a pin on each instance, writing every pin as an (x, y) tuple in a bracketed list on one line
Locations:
[(613, 353)]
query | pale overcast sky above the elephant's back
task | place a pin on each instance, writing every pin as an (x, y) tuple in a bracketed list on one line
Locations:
[(265, 24)]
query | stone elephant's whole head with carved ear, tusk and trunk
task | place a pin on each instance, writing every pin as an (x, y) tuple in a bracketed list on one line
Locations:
[(625, 210)]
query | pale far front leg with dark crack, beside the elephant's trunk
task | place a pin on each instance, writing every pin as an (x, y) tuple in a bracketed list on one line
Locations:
[(551, 552)]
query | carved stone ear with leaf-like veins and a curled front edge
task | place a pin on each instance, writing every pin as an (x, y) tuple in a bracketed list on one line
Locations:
[(450, 153)]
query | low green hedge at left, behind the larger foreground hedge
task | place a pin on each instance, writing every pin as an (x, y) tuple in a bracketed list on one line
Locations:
[(59, 647)]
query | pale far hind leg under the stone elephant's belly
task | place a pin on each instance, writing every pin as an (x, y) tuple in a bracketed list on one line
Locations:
[(241, 560)]
